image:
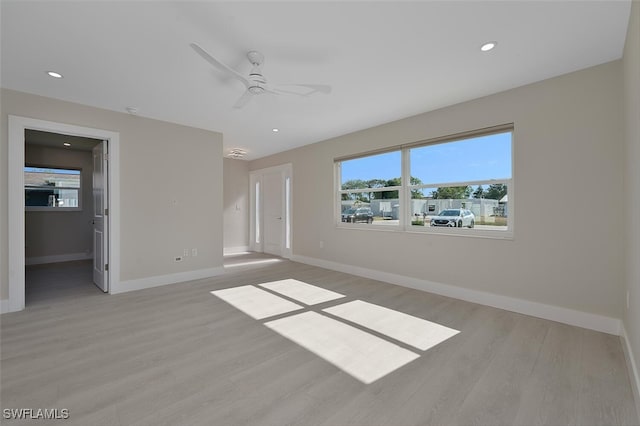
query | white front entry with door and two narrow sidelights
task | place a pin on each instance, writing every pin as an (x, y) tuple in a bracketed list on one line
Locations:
[(270, 218)]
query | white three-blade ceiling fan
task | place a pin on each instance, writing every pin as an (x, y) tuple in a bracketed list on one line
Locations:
[(255, 82)]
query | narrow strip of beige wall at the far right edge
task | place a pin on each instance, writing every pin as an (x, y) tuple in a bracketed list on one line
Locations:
[(632, 184)]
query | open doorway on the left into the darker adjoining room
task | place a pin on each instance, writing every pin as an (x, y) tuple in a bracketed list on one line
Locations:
[(65, 183)]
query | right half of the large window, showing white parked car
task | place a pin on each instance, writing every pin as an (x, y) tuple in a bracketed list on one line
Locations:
[(469, 175)]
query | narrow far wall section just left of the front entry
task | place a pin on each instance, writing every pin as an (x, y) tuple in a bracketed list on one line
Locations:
[(236, 205)]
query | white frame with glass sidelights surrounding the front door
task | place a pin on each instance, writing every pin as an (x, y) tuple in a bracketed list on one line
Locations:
[(256, 209)]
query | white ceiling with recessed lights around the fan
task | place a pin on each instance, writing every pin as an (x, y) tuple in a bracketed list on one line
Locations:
[(385, 60)]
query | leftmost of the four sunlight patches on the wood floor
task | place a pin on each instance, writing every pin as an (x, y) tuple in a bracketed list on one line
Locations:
[(256, 303)]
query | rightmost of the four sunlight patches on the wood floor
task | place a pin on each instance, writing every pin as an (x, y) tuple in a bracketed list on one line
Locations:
[(417, 332)]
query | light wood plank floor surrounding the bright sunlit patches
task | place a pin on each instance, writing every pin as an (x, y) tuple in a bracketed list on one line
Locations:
[(176, 355)]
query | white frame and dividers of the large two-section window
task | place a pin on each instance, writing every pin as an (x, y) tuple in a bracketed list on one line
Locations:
[(404, 191)]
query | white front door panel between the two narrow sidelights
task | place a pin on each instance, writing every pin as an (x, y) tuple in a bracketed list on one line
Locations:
[(273, 208)]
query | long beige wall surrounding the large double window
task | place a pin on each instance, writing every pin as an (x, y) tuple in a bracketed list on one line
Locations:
[(568, 145)]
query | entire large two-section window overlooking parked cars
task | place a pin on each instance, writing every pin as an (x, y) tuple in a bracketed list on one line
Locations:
[(457, 185)]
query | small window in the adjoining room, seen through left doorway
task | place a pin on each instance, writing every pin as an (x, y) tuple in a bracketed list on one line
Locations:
[(52, 189)]
